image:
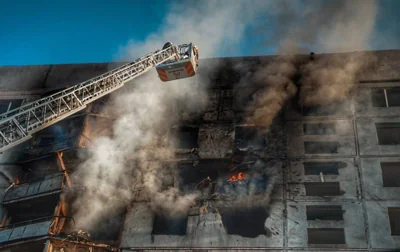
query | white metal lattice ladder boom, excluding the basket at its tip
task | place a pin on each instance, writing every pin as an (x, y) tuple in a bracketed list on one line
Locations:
[(18, 125)]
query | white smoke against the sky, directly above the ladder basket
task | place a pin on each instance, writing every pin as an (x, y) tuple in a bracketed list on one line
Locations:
[(214, 26)]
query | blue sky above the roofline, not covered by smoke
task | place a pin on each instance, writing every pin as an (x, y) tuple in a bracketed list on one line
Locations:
[(82, 31)]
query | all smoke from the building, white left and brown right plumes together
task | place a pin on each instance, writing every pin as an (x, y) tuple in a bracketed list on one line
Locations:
[(147, 109)]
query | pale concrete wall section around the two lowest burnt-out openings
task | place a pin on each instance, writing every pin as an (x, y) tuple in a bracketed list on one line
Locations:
[(203, 230)]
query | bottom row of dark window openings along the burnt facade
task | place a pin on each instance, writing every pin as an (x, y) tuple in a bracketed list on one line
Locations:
[(164, 225)]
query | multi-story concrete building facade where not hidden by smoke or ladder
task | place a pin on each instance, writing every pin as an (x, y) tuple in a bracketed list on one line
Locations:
[(335, 170)]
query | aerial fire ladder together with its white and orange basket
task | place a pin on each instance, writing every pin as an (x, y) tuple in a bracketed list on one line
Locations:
[(18, 125)]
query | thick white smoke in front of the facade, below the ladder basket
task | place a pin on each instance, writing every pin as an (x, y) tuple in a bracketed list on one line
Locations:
[(130, 160)]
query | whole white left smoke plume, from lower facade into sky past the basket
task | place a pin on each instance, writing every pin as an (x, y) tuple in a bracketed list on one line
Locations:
[(120, 167)]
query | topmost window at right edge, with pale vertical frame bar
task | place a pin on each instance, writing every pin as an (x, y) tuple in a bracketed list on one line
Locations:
[(385, 97)]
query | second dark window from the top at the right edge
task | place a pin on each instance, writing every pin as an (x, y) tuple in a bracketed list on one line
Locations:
[(388, 133)]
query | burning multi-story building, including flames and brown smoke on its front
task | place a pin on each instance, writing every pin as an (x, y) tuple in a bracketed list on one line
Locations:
[(263, 166)]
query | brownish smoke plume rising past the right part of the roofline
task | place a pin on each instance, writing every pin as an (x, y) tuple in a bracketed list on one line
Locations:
[(323, 26)]
